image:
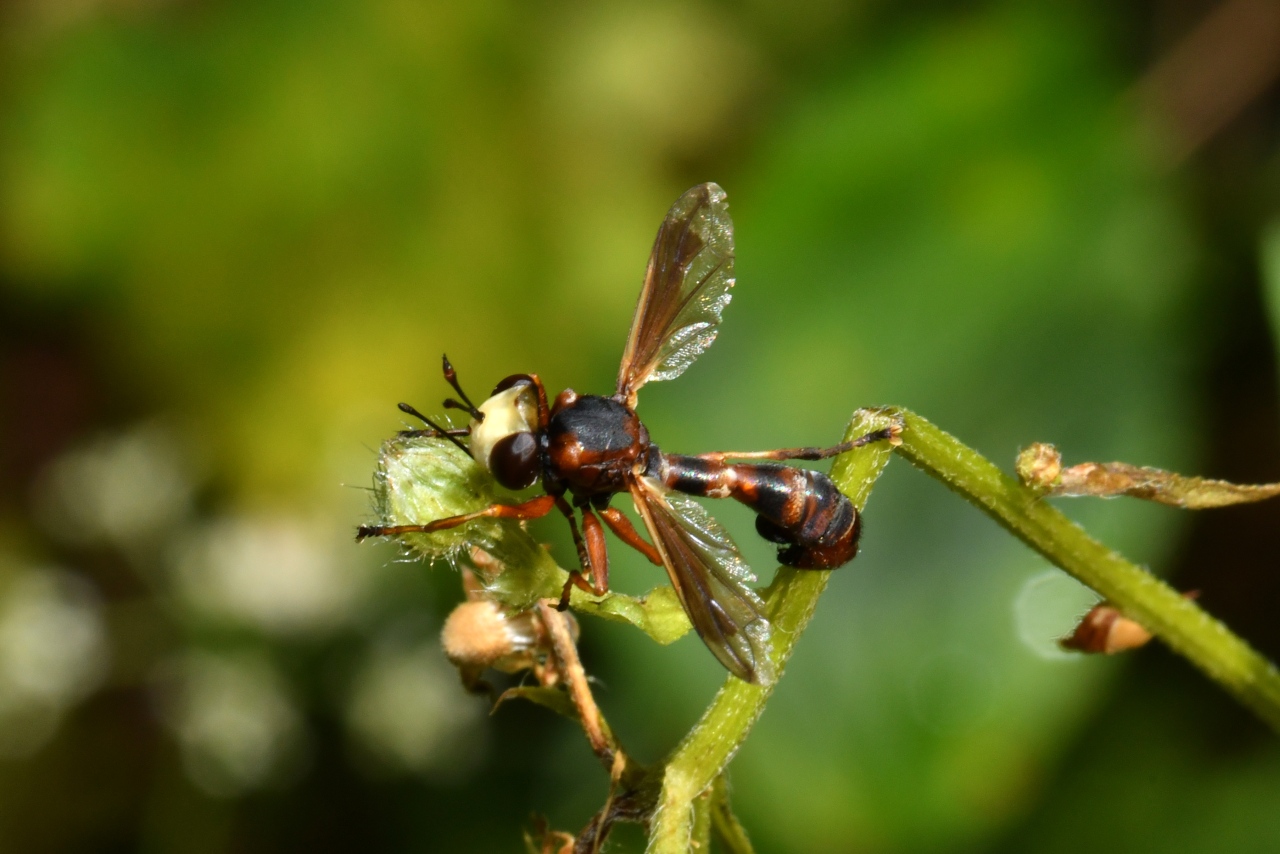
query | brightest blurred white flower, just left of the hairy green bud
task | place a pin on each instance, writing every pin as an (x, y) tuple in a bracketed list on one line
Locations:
[(280, 574)]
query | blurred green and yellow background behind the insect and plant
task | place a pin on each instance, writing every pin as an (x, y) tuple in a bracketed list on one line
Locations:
[(235, 235)]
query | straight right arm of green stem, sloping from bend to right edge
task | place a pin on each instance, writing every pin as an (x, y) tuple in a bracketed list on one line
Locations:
[(1137, 593)]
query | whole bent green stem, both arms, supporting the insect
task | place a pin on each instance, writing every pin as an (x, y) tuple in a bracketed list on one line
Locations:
[(702, 756)]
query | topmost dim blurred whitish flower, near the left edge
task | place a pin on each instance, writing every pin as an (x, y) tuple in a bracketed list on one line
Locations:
[(121, 491)]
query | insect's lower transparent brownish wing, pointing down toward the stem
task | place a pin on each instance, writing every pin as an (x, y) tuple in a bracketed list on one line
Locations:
[(710, 578)]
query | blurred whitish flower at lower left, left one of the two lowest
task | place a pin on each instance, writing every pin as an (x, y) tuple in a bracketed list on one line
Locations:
[(236, 724)]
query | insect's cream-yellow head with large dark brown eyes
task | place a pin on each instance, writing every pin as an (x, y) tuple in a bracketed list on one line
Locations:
[(506, 440)]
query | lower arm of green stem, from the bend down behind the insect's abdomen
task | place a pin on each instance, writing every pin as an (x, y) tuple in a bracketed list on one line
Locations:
[(793, 597)]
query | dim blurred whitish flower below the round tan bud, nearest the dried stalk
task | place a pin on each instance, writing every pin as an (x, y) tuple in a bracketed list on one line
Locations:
[(408, 710)]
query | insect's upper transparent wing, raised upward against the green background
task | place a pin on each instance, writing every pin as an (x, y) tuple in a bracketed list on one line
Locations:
[(685, 290)]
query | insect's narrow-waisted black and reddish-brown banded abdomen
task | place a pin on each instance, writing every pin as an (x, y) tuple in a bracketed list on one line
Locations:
[(798, 509)]
